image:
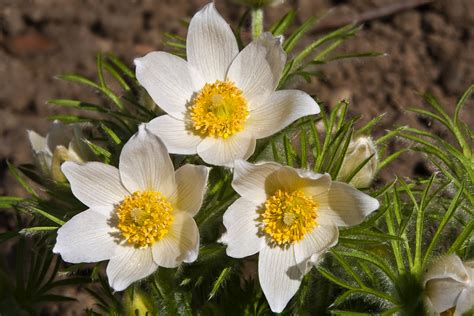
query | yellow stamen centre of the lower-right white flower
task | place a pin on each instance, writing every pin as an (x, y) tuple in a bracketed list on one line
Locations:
[(287, 216)]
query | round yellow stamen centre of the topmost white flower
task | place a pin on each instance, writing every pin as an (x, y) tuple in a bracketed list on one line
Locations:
[(219, 110)]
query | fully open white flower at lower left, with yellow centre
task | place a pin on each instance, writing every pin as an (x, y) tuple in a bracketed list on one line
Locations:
[(140, 215)]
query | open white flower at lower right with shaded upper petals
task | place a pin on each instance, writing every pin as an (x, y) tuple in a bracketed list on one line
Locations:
[(290, 217)]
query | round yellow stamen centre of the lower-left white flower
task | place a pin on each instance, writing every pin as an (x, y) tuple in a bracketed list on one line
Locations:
[(144, 217)]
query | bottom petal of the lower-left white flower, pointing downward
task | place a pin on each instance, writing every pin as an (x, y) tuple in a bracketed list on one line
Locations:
[(129, 264)]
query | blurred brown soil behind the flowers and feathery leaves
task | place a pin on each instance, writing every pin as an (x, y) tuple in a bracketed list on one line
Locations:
[(428, 46)]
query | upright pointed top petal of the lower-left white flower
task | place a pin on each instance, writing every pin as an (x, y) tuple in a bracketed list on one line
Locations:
[(146, 165)]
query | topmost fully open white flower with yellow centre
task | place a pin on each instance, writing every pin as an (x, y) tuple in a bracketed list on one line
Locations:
[(220, 101)]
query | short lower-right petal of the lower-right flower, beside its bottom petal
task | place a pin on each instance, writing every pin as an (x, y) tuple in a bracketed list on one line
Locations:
[(314, 244)]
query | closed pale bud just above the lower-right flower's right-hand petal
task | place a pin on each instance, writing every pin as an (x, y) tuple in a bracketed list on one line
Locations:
[(358, 151)]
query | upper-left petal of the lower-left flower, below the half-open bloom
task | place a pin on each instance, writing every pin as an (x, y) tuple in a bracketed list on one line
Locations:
[(94, 183)]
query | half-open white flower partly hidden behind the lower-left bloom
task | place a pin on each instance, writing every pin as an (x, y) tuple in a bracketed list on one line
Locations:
[(60, 144)]
